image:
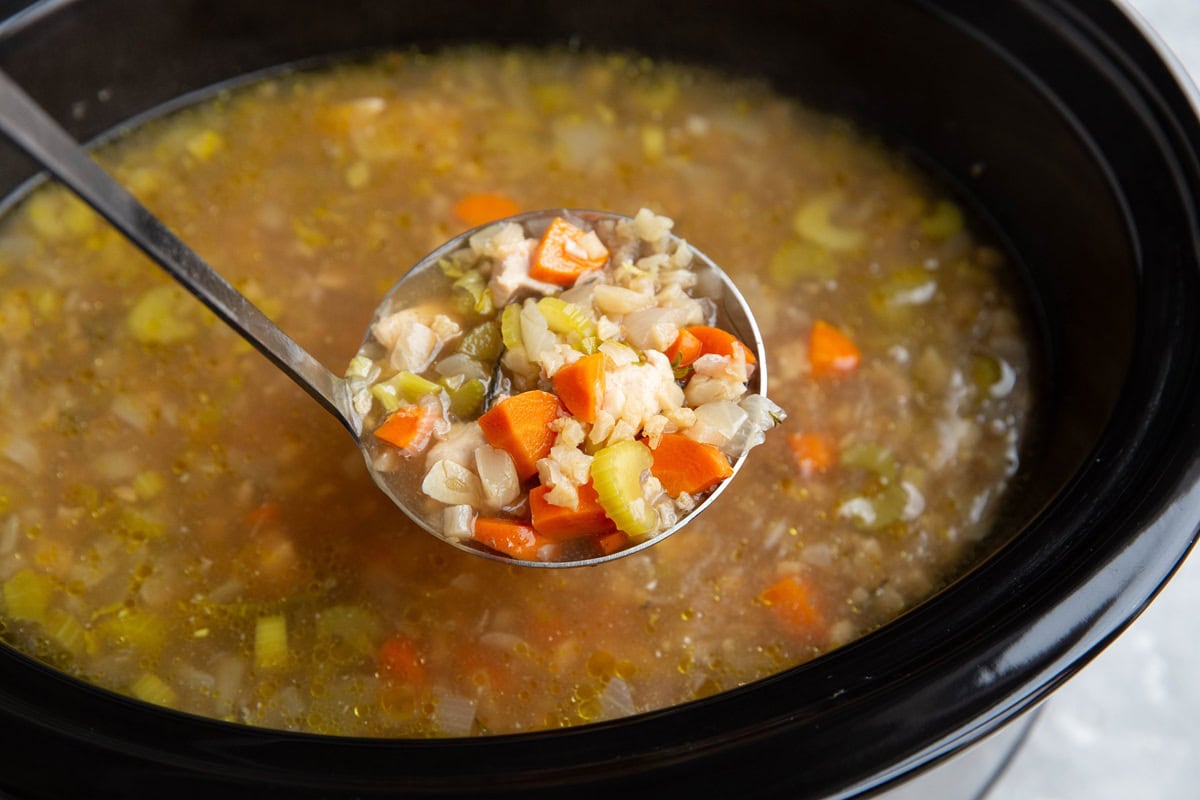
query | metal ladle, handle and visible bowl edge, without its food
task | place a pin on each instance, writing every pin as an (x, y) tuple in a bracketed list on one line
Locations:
[(34, 131)]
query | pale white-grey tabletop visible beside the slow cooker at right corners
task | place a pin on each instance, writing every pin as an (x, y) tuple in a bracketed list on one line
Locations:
[(1129, 726)]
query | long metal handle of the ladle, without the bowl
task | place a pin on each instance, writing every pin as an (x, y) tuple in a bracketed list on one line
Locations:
[(35, 133)]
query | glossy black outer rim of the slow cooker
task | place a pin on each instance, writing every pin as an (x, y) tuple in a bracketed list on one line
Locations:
[(953, 673)]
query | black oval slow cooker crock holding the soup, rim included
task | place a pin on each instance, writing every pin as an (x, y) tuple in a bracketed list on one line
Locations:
[(1057, 119)]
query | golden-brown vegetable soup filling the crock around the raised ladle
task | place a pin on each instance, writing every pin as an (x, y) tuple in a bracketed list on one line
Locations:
[(181, 524)]
